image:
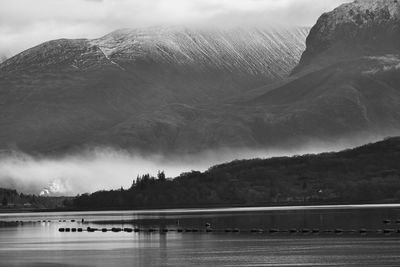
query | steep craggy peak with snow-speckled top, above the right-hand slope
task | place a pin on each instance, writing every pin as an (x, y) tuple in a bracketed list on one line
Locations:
[(360, 28)]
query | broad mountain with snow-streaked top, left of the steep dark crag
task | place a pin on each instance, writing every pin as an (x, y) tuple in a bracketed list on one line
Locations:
[(135, 88)]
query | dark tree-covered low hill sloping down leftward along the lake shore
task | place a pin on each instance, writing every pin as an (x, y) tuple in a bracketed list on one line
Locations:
[(367, 174)]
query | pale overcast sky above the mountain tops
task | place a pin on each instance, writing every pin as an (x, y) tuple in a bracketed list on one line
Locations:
[(25, 23)]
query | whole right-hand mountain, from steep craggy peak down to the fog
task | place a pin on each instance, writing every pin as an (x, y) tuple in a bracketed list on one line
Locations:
[(347, 83)]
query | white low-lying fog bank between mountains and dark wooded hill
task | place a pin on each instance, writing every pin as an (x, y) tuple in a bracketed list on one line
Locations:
[(106, 168)]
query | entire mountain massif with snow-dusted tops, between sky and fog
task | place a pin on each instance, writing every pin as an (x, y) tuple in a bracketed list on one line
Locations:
[(179, 90)]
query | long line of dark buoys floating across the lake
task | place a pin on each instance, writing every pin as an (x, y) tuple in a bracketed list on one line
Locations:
[(234, 230)]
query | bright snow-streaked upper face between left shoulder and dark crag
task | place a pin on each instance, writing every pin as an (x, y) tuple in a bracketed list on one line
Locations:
[(271, 52)]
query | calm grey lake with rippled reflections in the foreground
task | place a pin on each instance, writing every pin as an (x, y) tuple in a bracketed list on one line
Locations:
[(29, 242)]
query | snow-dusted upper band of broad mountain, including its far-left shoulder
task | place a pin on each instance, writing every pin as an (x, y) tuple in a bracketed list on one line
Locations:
[(270, 53)]
